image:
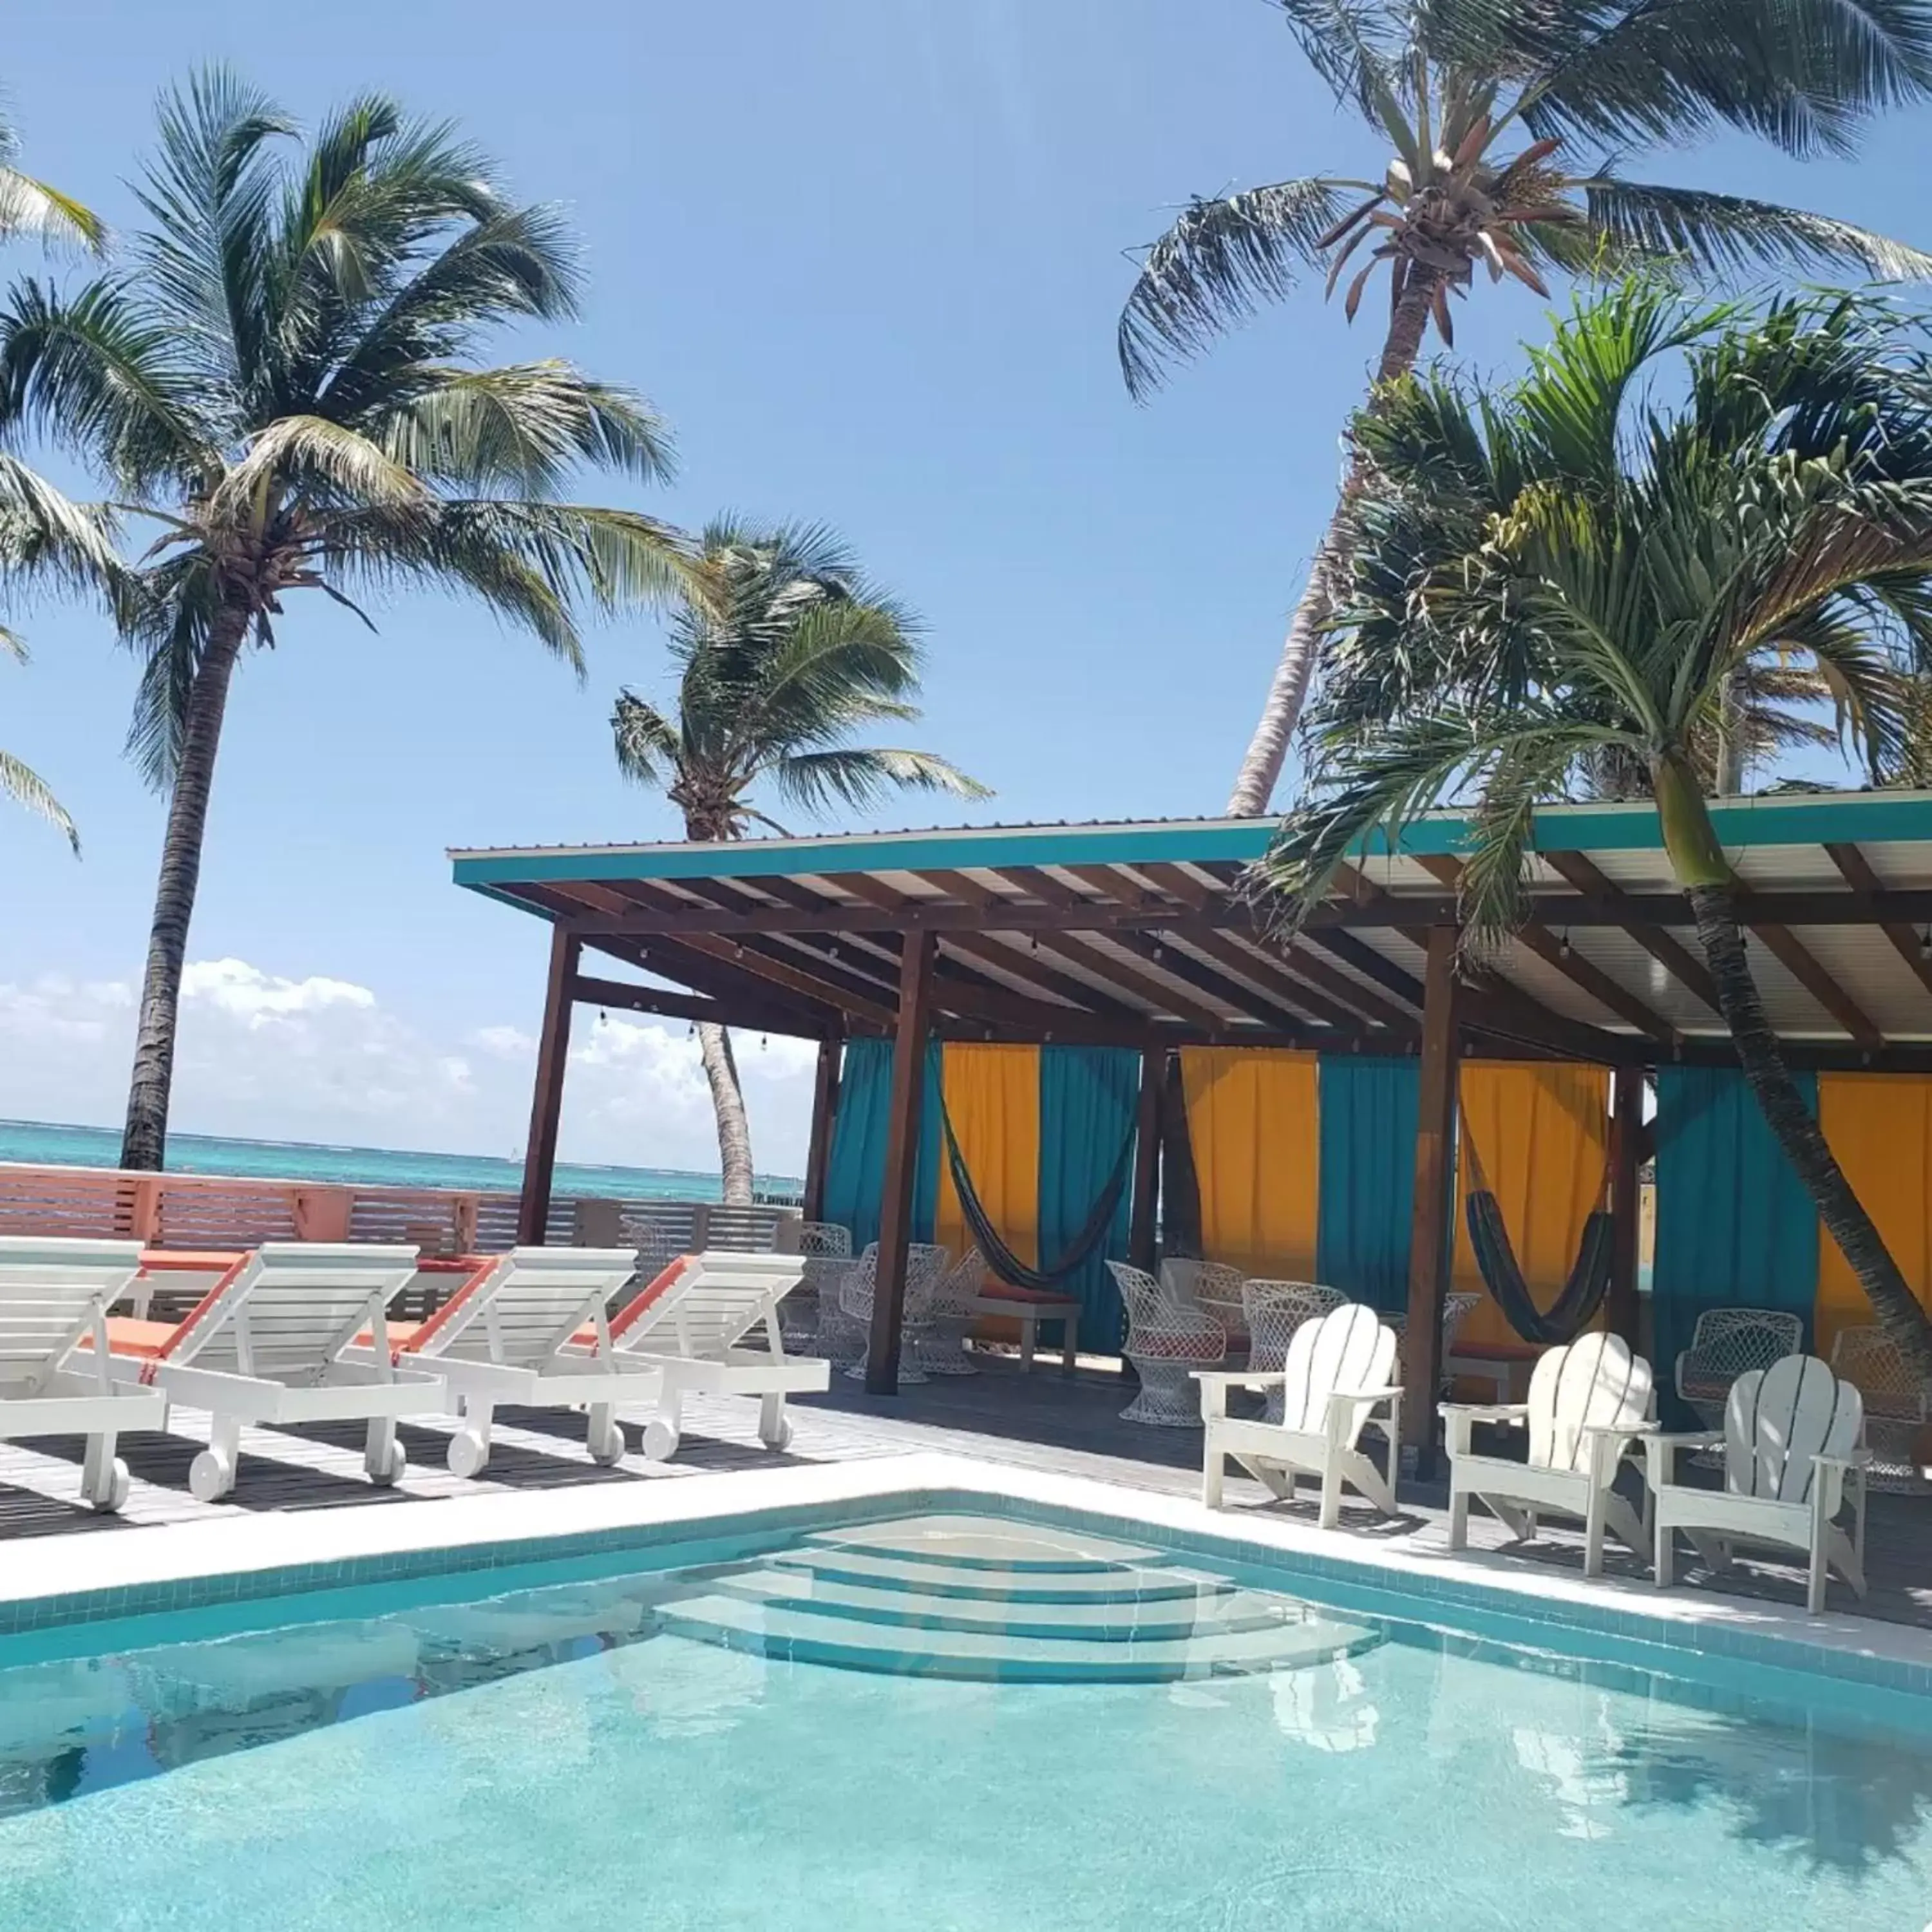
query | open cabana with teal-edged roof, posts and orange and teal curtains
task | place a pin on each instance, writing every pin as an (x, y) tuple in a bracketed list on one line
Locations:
[(1315, 1091)]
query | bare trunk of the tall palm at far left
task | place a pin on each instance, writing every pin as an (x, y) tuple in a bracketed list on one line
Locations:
[(146, 1135)]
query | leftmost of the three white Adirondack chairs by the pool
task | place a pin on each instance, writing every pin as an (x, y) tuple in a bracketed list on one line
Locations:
[(1336, 1382)]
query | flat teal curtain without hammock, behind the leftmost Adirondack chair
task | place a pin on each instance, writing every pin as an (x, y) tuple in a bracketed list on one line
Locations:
[(1369, 1176)]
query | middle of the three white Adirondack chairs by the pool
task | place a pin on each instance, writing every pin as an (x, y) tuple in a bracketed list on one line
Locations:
[(1589, 1404)]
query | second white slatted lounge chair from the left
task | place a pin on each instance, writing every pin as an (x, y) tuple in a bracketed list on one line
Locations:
[(275, 1344)]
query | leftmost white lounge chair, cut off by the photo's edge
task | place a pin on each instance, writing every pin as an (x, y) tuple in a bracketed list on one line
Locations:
[(55, 1373)]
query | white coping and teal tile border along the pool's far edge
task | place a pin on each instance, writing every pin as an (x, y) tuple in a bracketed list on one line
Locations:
[(154, 1572)]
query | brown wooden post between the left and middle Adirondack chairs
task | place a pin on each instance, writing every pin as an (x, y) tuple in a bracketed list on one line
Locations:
[(1429, 1232)]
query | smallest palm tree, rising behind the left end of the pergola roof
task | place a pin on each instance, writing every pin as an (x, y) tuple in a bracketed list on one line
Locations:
[(783, 650)]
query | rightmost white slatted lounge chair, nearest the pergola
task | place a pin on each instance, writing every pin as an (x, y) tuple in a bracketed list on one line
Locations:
[(689, 1326)]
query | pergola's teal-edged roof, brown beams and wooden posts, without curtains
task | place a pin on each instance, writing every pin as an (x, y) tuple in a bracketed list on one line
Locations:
[(1149, 936)]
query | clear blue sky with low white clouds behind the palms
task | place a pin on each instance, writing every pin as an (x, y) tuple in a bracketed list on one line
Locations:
[(867, 256)]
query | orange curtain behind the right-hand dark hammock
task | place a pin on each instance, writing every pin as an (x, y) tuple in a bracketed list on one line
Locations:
[(1541, 1135)]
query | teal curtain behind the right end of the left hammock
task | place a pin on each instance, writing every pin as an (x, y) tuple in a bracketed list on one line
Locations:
[(1087, 1112)]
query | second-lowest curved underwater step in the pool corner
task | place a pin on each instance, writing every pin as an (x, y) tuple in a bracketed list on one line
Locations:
[(1212, 1612)]
